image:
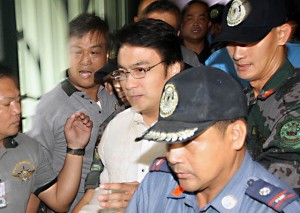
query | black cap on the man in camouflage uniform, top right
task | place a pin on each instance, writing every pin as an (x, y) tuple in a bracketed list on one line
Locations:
[(249, 21)]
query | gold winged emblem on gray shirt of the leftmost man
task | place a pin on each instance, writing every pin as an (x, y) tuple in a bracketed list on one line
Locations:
[(23, 170)]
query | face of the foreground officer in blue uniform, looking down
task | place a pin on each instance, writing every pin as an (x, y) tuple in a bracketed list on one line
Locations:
[(204, 163)]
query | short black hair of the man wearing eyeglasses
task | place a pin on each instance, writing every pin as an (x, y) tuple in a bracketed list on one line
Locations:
[(154, 34)]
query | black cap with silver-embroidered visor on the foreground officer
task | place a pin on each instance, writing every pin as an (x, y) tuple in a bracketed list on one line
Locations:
[(192, 101)]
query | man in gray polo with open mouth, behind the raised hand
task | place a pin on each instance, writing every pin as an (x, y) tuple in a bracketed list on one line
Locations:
[(88, 51)]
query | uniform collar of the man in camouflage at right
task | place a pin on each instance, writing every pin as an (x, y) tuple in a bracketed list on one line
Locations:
[(275, 82)]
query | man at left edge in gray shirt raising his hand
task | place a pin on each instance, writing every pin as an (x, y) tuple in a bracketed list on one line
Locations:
[(23, 166)]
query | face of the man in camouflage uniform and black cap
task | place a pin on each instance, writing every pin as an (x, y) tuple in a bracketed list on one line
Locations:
[(256, 62)]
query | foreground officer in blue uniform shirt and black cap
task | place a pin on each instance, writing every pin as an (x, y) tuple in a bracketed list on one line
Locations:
[(207, 168)]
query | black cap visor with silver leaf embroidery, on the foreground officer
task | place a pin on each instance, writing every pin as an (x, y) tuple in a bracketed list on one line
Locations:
[(174, 131)]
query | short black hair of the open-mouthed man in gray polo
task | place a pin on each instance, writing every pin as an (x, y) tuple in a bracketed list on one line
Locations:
[(89, 23)]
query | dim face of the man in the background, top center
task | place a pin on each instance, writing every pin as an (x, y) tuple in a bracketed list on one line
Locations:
[(196, 24)]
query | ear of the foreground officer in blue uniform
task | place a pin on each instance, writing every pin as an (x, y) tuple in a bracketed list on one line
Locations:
[(238, 134)]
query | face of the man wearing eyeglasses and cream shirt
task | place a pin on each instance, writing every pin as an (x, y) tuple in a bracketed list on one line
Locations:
[(143, 94)]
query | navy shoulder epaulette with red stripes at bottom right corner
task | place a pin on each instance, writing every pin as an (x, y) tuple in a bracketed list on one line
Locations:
[(273, 196)]
